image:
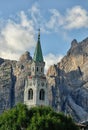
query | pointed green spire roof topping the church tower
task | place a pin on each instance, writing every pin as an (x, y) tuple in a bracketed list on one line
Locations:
[(38, 51)]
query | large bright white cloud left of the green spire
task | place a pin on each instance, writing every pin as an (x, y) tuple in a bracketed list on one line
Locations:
[(15, 38)]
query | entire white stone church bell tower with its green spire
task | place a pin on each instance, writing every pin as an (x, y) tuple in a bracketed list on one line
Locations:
[(36, 87)]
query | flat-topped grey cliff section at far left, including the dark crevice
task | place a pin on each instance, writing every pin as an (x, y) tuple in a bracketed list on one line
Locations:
[(7, 80)]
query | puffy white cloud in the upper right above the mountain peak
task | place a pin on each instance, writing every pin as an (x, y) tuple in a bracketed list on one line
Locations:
[(73, 18)]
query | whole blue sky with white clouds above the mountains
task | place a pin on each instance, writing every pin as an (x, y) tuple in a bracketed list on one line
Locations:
[(59, 21)]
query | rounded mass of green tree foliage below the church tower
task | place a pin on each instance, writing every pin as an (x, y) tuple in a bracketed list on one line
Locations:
[(37, 118)]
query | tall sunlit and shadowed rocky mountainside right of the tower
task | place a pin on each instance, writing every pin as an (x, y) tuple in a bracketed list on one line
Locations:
[(68, 81)]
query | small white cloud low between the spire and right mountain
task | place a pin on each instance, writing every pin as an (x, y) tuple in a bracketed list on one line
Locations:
[(51, 59)]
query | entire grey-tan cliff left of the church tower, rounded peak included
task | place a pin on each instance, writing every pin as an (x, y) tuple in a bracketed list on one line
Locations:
[(12, 80)]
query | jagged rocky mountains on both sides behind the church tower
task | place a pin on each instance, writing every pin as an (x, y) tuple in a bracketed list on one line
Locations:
[(67, 80)]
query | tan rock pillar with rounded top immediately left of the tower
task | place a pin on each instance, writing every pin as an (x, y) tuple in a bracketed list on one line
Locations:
[(21, 72)]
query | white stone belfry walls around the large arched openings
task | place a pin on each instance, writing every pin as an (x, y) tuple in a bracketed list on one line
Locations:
[(36, 85)]
